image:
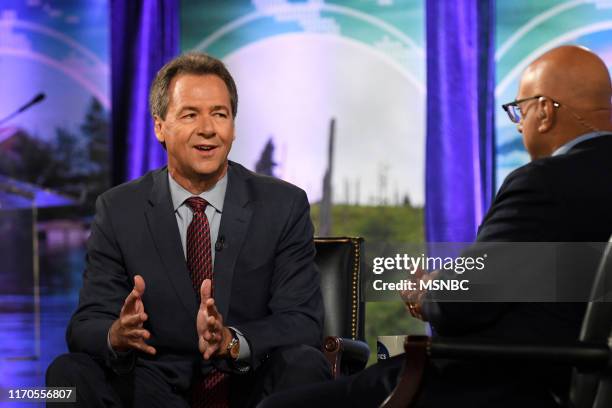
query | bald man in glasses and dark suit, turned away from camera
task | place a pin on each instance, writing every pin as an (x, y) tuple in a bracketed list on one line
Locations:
[(563, 110)]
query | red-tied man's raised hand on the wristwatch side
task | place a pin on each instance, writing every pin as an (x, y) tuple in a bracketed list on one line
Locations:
[(213, 337)]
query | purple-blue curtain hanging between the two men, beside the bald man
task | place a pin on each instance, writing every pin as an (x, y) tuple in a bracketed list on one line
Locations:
[(460, 159)]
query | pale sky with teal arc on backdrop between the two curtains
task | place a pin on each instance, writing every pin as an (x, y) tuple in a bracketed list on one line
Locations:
[(300, 65)]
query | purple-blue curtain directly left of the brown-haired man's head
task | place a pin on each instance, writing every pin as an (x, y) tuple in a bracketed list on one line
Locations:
[(144, 36)]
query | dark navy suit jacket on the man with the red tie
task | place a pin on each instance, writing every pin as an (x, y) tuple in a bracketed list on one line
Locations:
[(266, 282)]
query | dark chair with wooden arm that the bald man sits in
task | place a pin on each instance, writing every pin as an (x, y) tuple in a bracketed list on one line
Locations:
[(591, 355)]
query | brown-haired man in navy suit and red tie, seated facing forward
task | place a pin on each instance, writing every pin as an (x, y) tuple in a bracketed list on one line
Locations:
[(200, 287)]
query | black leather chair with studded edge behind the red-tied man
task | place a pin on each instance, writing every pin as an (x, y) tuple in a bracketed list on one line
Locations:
[(340, 261)]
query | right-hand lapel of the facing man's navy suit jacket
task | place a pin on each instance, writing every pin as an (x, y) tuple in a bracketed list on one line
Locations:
[(235, 221)]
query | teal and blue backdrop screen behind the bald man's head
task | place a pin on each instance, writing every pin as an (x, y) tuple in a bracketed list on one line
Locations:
[(527, 29)]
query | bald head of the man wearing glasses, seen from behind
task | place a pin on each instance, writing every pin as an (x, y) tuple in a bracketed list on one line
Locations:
[(577, 99)]
